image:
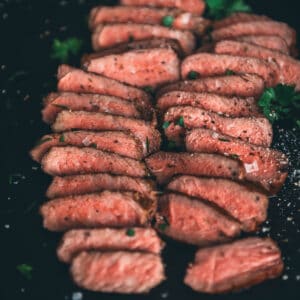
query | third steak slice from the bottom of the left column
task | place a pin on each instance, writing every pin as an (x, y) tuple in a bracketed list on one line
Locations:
[(105, 209)]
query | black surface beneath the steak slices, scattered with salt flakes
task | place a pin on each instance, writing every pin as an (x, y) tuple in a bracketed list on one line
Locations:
[(28, 73)]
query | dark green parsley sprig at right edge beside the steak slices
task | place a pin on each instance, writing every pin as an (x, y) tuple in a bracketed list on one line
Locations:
[(281, 102)]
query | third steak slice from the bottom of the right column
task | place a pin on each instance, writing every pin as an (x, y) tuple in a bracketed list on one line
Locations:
[(245, 204)]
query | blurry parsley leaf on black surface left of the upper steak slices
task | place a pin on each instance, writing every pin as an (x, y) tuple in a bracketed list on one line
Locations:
[(62, 50)]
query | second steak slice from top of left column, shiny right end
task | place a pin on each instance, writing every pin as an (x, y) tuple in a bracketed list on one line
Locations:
[(146, 15)]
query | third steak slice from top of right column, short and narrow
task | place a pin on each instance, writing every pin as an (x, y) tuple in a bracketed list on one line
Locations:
[(268, 41)]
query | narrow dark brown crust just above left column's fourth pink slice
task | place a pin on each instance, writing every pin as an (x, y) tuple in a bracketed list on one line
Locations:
[(135, 45)]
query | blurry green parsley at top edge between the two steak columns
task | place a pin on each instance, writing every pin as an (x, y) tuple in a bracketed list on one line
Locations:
[(218, 9)]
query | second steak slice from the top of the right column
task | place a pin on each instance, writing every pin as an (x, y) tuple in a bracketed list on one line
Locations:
[(256, 28)]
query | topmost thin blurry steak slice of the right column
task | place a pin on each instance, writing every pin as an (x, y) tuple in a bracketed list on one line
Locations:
[(239, 17)]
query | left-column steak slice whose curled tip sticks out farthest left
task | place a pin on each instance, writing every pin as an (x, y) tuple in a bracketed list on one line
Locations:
[(119, 142)]
